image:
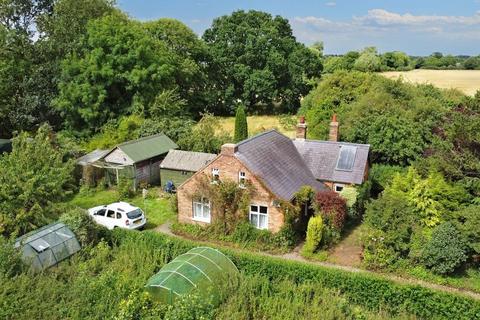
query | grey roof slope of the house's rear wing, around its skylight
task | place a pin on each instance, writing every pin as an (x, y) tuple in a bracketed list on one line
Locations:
[(322, 158)]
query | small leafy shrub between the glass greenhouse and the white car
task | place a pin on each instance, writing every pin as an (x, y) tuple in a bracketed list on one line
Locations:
[(86, 230)]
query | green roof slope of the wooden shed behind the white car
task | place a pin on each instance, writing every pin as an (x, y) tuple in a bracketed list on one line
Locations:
[(147, 147)]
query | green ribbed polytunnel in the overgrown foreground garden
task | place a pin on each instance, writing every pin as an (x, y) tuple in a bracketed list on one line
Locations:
[(201, 268)]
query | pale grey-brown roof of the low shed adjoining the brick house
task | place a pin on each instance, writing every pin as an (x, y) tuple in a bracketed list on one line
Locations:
[(186, 160)]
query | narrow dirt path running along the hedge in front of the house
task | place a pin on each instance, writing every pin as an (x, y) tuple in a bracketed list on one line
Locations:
[(295, 256)]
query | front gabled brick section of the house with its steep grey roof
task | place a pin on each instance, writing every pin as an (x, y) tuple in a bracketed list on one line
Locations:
[(269, 161)]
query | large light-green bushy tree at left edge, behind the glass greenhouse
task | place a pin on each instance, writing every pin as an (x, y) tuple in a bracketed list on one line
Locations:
[(32, 177)]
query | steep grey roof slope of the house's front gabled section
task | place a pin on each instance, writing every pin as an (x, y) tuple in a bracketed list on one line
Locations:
[(274, 158)]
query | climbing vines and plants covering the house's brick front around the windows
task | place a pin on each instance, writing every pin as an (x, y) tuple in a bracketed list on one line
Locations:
[(229, 211)]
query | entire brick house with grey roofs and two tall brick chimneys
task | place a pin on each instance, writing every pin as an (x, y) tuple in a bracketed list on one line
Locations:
[(277, 167)]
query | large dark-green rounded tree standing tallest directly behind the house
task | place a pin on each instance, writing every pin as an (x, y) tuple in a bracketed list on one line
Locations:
[(256, 59)]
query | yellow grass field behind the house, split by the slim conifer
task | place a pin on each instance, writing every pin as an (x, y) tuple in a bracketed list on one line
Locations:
[(257, 124)]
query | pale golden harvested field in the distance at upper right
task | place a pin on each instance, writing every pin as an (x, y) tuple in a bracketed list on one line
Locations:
[(467, 81)]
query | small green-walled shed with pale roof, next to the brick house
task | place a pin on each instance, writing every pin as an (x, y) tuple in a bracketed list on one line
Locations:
[(180, 165)]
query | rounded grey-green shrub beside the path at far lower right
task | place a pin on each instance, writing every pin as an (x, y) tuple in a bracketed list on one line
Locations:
[(446, 251)]
